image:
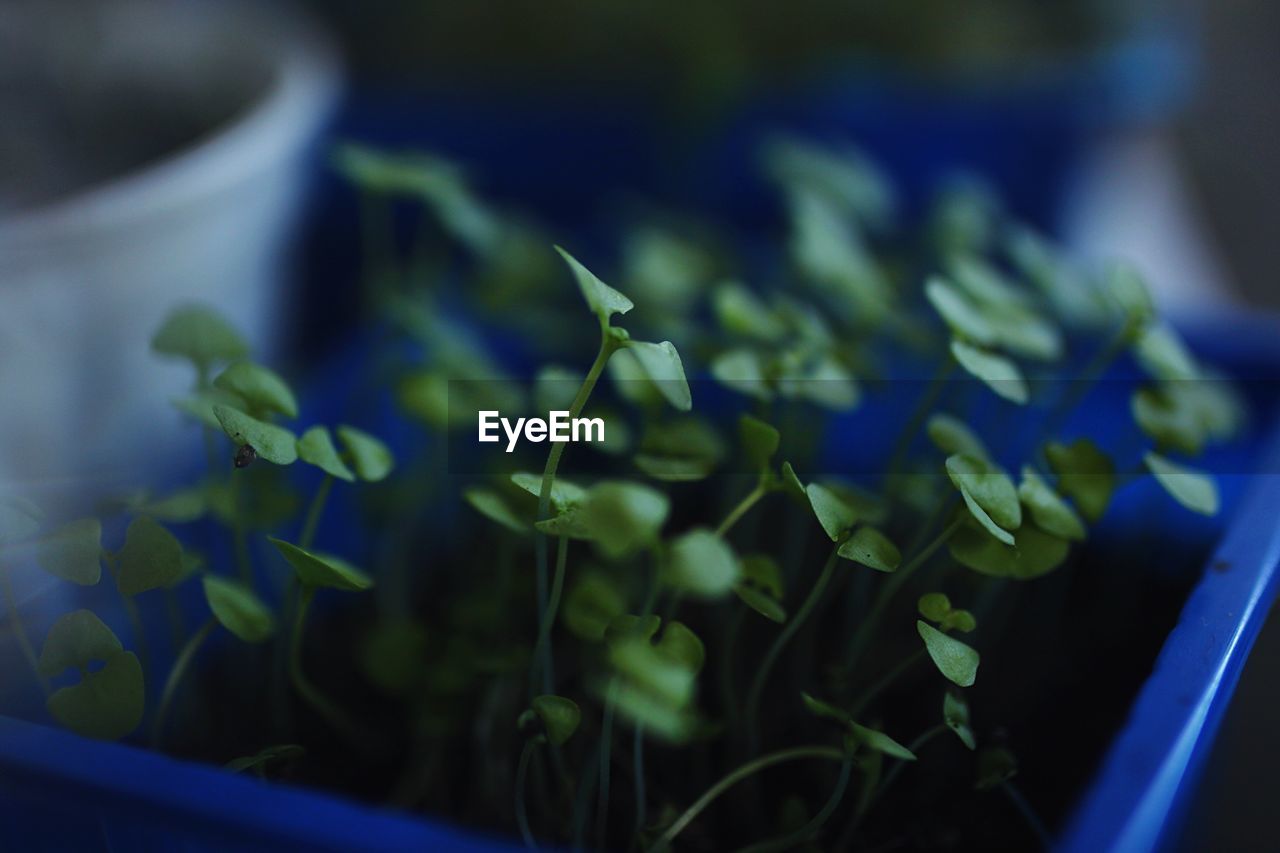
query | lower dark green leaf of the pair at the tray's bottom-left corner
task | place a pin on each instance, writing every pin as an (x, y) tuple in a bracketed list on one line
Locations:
[(107, 705)]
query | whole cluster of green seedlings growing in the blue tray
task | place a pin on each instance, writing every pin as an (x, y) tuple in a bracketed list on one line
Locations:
[(609, 660)]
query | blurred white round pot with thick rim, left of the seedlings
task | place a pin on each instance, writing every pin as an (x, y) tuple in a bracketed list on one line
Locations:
[(86, 279)]
